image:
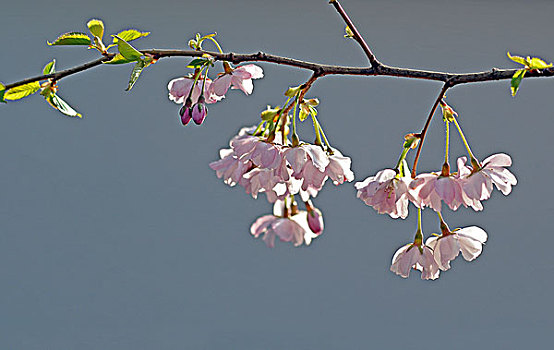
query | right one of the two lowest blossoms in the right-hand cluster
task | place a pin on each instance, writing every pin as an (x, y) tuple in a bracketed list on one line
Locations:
[(446, 247)]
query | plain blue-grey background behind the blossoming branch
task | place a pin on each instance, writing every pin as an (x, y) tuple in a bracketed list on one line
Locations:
[(115, 234)]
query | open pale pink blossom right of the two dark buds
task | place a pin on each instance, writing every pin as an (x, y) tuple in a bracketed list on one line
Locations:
[(239, 78)]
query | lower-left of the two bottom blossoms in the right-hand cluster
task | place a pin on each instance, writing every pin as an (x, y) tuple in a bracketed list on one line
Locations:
[(417, 257)]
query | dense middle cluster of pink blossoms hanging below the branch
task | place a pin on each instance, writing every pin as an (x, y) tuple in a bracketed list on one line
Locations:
[(280, 171)]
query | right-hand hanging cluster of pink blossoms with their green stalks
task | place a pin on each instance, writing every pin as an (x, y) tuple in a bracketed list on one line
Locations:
[(391, 190)]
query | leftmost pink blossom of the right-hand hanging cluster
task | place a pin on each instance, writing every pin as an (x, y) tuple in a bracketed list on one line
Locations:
[(385, 192)]
